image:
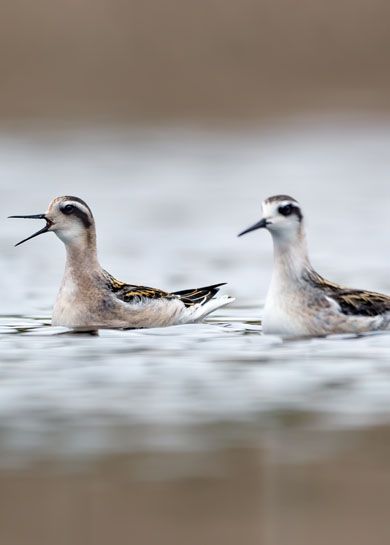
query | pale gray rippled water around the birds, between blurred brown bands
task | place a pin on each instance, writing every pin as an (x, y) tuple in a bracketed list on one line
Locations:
[(169, 203)]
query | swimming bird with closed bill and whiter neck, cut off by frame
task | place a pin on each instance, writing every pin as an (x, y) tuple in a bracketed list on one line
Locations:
[(299, 301)]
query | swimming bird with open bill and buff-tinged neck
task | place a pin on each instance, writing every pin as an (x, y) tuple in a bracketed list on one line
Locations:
[(90, 297)]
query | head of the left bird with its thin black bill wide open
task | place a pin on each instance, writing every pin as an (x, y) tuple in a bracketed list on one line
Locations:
[(70, 218)]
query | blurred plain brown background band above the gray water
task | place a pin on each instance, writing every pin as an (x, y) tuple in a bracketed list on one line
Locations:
[(214, 59)]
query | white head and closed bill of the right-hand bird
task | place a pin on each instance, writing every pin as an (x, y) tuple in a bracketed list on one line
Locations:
[(282, 216)]
